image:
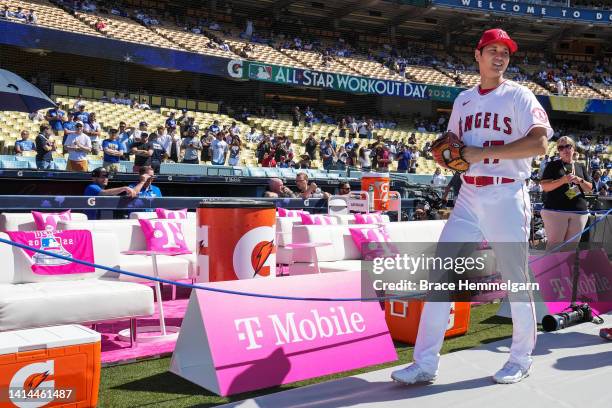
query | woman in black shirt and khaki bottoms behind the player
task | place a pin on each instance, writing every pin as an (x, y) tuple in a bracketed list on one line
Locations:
[(564, 181)]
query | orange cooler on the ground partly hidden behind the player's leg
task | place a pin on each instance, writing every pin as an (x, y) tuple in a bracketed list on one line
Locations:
[(403, 319)]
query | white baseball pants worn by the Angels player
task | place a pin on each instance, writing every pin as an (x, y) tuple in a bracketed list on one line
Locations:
[(500, 214)]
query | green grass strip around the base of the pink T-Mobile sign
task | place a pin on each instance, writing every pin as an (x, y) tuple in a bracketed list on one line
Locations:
[(149, 384)]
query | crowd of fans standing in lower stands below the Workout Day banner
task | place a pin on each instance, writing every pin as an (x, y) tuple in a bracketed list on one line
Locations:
[(181, 140)]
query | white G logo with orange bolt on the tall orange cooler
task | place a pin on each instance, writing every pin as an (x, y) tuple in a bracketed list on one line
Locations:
[(254, 254)]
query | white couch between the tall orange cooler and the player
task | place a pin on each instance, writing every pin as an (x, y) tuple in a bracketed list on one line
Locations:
[(343, 254)]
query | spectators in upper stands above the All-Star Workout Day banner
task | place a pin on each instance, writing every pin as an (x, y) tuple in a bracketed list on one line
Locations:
[(558, 78)]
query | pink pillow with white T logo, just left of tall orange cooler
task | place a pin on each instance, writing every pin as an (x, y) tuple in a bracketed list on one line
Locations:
[(164, 236)]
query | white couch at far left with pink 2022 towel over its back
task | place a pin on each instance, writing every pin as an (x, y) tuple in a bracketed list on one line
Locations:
[(30, 300)]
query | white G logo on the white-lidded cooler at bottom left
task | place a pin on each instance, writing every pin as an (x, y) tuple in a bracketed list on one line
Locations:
[(30, 378)]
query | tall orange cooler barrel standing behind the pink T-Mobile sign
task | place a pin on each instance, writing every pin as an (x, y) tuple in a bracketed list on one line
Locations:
[(236, 240)]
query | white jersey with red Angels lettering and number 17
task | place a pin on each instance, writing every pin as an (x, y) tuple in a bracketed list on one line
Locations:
[(500, 116)]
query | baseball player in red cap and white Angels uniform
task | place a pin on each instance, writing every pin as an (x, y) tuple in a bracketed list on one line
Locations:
[(503, 127)]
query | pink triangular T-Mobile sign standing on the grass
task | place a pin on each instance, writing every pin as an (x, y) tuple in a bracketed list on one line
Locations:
[(231, 344)]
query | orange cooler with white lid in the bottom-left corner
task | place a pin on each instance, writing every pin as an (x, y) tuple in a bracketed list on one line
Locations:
[(50, 366)]
